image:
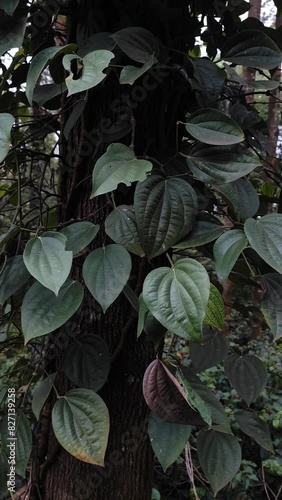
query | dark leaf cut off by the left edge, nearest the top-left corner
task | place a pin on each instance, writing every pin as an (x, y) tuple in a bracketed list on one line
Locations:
[(12, 30)]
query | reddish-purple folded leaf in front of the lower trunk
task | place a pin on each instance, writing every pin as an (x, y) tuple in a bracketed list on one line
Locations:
[(165, 396)]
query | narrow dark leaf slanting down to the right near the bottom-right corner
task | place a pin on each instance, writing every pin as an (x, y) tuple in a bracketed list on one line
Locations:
[(253, 426)]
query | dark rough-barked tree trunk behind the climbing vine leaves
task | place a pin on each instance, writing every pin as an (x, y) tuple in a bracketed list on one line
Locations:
[(145, 112)]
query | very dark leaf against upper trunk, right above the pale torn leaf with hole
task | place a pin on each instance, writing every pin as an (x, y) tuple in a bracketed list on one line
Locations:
[(137, 43)]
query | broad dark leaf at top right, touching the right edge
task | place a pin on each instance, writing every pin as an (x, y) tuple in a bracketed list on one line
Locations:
[(252, 48)]
